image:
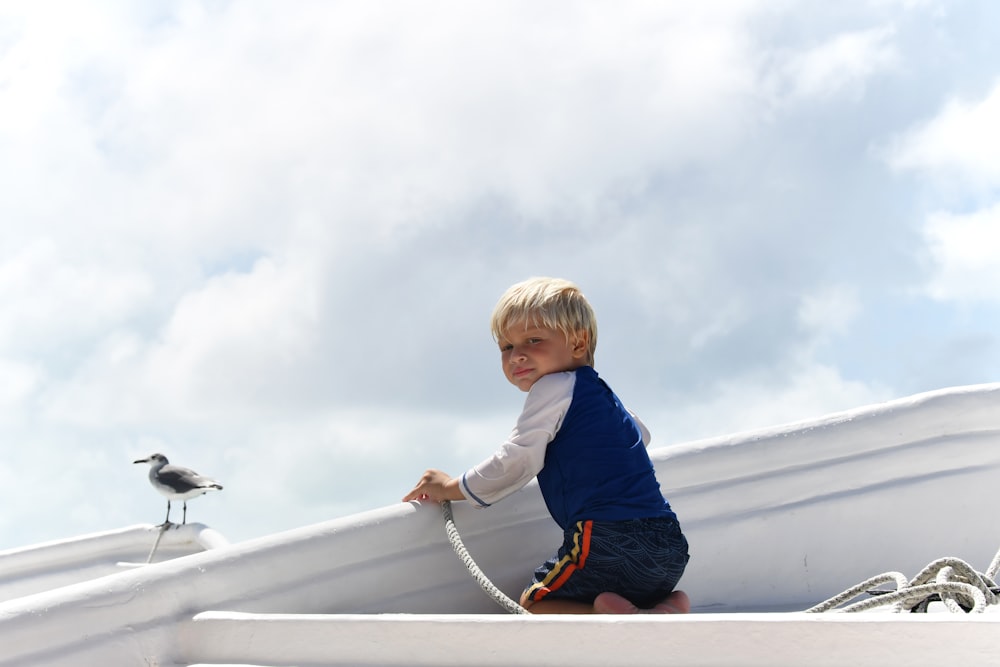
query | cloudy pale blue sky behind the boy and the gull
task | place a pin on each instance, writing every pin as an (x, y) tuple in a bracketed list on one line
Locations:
[(265, 239)]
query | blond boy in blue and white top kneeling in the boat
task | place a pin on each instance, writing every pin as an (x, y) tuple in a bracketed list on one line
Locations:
[(623, 549)]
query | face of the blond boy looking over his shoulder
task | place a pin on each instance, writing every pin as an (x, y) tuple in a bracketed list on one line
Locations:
[(529, 353)]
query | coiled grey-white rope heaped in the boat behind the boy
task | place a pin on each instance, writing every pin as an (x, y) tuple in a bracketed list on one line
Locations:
[(949, 580)]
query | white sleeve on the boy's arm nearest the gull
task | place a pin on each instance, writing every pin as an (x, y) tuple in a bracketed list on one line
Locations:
[(522, 456)]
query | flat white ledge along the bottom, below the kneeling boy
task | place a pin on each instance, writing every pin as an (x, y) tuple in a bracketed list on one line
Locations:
[(697, 640)]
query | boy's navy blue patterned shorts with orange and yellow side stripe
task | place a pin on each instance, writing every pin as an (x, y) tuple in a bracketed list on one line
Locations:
[(640, 559)]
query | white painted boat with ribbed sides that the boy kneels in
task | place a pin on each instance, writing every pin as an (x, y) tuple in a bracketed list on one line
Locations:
[(779, 518)]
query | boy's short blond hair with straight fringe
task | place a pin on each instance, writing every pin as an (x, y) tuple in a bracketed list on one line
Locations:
[(552, 303)]
